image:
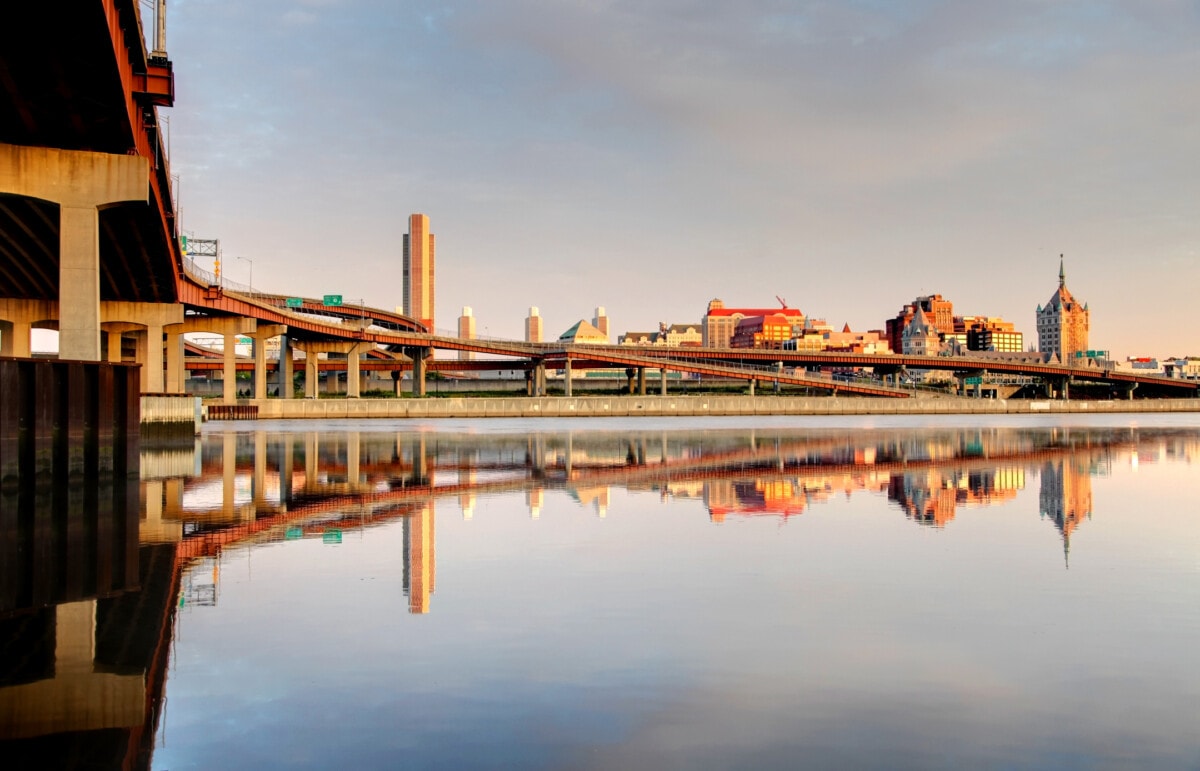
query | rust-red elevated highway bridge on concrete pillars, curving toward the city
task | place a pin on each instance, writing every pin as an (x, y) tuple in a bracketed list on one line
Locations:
[(89, 246)]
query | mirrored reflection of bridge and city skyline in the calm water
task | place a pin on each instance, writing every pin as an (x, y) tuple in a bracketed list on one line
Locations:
[(91, 581)]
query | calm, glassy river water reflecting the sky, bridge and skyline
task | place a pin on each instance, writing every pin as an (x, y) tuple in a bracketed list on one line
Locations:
[(925, 593)]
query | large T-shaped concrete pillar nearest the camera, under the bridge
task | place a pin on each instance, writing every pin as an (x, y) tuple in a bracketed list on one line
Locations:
[(81, 183)]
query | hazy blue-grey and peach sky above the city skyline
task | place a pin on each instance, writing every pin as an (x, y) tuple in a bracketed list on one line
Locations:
[(650, 157)]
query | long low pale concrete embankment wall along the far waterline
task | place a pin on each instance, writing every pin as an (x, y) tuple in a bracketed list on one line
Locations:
[(698, 405)]
